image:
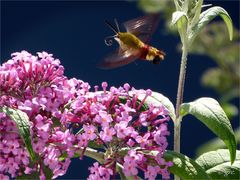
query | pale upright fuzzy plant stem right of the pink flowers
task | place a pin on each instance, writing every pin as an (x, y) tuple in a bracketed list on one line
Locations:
[(177, 123)]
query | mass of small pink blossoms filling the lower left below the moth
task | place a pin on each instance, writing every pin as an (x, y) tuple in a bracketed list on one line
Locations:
[(66, 118)]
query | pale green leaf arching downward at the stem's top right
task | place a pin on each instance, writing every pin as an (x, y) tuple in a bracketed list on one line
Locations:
[(207, 16)]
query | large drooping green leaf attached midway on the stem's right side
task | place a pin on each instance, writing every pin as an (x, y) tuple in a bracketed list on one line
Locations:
[(208, 111)]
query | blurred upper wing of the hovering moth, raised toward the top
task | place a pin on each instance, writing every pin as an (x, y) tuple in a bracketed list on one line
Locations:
[(143, 27)]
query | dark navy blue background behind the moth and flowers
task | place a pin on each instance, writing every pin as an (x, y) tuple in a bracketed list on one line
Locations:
[(74, 32)]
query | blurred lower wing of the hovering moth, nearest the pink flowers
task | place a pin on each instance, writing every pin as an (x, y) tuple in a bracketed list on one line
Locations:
[(117, 59)]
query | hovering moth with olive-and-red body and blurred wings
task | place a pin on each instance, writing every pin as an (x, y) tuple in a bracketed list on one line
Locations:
[(133, 44)]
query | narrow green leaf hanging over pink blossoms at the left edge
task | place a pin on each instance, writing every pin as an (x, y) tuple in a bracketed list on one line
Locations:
[(22, 121)]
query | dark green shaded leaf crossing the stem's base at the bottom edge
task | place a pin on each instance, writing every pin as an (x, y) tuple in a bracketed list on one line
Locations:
[(185, 167)]
